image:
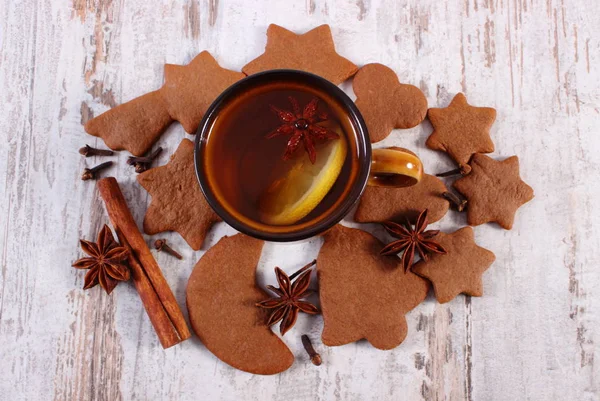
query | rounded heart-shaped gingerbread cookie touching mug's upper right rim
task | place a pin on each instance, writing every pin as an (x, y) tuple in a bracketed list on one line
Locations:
[(385, 103)]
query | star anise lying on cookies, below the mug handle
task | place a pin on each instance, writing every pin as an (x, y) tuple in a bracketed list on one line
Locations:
[(410, 239)]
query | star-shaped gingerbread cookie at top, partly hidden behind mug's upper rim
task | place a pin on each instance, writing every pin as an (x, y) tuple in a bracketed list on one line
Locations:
[(313, 52)]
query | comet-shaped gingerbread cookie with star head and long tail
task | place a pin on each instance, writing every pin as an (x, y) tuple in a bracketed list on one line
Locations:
[(188, 91)]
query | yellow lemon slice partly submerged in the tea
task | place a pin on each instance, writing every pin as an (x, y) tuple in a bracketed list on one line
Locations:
[(293, 196)]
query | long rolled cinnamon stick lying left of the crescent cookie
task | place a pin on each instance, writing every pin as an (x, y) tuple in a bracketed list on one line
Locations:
[(149, 278)]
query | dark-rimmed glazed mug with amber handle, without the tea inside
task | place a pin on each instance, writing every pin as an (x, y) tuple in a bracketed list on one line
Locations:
[(392, 167)]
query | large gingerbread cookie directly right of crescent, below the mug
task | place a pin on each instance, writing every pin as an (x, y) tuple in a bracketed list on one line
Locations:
[(363, 294)]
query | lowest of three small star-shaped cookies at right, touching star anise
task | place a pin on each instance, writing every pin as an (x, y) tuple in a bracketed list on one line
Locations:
[(458, 271)]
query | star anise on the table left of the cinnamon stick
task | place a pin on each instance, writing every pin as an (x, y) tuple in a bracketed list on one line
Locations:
[(106, 262)]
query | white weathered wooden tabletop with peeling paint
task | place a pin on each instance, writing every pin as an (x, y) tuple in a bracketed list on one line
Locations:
[(535, 335)]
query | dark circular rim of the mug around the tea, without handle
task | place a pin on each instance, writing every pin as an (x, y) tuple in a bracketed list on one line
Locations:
[(363, 147)]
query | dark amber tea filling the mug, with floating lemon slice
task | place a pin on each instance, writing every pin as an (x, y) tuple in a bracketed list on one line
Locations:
[(246, 168)]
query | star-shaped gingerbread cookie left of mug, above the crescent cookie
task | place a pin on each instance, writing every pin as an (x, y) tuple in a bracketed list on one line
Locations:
[(177, 201)]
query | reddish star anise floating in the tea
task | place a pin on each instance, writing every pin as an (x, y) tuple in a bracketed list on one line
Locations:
[(303, 127)]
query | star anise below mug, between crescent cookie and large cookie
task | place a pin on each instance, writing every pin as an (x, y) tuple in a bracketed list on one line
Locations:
[(287, 301)]
